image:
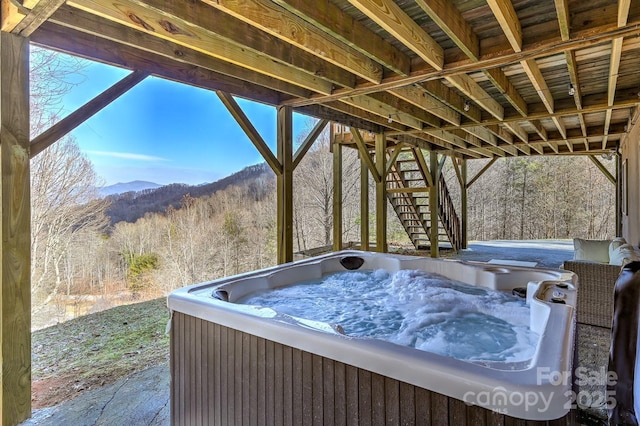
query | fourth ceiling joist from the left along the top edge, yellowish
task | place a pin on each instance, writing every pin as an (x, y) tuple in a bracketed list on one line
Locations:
[(393, 19)]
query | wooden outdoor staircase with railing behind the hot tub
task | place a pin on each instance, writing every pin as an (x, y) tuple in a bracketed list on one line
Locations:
[(408, 191)]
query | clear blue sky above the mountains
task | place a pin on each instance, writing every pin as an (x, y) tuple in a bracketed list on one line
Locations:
[(165, 132)]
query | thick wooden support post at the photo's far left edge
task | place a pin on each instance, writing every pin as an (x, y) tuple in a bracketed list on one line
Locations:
[(15, 251)]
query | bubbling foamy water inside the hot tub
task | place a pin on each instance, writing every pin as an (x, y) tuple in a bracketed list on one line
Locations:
[(413, 308)]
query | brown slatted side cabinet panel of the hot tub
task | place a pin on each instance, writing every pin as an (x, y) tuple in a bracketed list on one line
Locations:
[(222, 376)]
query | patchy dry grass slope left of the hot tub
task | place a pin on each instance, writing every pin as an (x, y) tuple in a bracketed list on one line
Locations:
[(97, 349)]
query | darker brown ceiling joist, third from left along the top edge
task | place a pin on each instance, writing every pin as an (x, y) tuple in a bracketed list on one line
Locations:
[(332, 20)]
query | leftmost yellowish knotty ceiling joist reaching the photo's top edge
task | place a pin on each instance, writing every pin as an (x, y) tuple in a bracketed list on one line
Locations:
[(178, 17)]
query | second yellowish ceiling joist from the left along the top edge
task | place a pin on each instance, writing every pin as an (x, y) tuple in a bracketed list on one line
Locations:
[(275, 20)]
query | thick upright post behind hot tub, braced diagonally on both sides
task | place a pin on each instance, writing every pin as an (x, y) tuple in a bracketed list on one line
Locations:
[(285, 185)]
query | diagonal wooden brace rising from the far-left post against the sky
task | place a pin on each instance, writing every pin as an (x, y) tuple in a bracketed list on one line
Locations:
[(82, 114)]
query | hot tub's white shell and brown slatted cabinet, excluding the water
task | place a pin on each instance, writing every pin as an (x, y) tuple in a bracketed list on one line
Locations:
[(237, 364)]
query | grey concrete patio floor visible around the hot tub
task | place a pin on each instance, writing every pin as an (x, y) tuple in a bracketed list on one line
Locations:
[(143, 398)]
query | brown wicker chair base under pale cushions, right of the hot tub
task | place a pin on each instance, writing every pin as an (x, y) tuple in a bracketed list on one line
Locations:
[(596, 282)]
